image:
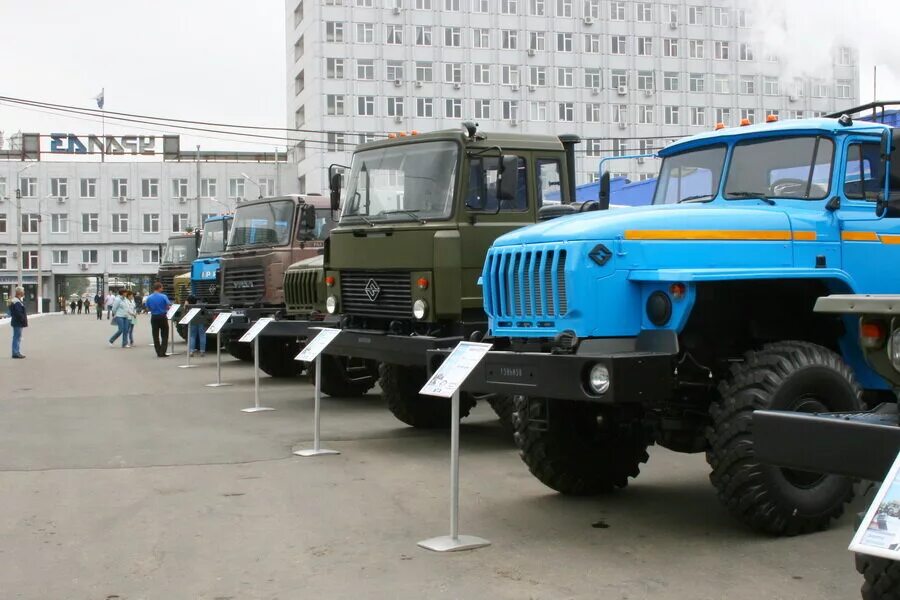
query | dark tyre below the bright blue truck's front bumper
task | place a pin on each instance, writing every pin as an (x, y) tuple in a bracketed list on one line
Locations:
[(573, 448)]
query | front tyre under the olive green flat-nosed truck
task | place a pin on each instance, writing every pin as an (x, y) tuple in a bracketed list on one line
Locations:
[(400, 387)]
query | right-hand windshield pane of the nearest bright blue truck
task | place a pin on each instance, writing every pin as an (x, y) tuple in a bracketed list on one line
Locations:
[(791, 167)]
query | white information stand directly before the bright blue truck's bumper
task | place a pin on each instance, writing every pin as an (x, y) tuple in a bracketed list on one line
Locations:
[(445, 383)]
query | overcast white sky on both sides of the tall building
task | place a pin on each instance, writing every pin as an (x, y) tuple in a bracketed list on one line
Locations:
[(223, 60)]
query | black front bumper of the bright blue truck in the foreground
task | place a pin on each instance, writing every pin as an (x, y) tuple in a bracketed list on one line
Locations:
[(635, 377)]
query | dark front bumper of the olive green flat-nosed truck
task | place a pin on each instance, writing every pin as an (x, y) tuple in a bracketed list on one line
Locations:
[(392, 349)]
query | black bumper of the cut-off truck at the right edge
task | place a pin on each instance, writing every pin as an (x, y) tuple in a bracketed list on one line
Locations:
[(862, 445)]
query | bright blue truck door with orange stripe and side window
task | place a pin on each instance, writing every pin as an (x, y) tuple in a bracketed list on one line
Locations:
[(870, 245)]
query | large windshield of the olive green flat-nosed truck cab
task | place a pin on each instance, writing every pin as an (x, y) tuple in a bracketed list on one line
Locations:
[(402, 183)]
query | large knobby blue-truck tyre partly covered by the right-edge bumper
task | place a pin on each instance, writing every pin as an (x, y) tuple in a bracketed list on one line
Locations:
[(793, 376)]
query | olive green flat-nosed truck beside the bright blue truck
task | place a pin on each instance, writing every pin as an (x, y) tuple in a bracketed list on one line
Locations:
[(403, 263)]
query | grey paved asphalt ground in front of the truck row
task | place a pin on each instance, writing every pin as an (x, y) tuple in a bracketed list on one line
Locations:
[(123, 477)]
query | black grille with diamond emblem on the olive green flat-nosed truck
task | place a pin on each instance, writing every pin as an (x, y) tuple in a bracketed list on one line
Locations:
[(376, 294)]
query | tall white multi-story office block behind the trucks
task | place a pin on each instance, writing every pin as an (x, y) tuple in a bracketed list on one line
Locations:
[(626, 76)]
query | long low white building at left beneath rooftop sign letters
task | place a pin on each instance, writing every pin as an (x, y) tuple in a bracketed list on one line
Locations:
[(107, 220)]
